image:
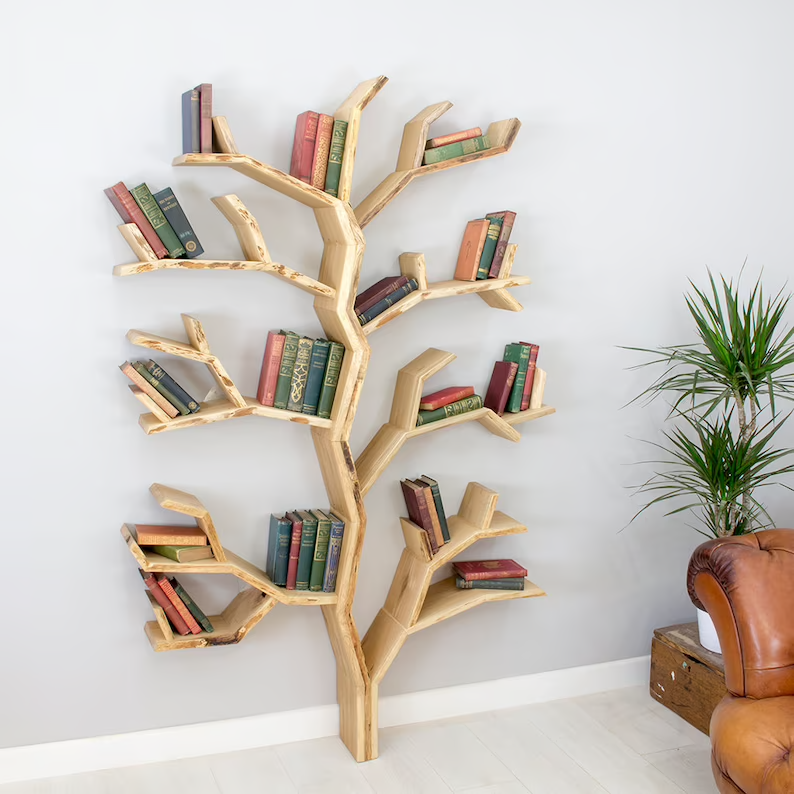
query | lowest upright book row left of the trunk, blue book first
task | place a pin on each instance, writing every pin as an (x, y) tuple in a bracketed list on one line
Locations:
[(303, 550)]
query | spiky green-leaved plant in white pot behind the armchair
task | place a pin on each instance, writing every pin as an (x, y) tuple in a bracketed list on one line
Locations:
[(723, 392)]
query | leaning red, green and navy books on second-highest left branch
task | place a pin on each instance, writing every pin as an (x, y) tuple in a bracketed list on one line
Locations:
[(160, 219)]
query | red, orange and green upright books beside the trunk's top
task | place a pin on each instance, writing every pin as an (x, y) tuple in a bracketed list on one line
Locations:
[(318, 150)]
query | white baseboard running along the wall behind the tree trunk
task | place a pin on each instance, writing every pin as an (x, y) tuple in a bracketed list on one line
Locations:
[(186, 741)]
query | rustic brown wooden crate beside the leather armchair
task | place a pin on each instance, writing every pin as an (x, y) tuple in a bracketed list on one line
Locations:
[(686, 677)]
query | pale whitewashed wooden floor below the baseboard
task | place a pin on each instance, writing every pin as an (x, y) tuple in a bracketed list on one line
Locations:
[(620, 742)]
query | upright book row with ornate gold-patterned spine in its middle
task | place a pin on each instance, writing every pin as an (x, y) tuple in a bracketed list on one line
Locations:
[(300, 374)]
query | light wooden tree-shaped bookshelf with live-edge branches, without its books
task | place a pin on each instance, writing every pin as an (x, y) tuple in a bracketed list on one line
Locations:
[(414, 603)]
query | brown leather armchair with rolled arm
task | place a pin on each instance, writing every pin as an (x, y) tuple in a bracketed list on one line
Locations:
[(746, 584)]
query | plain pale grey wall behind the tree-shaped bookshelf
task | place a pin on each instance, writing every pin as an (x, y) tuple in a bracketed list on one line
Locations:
[(656, 142)]
